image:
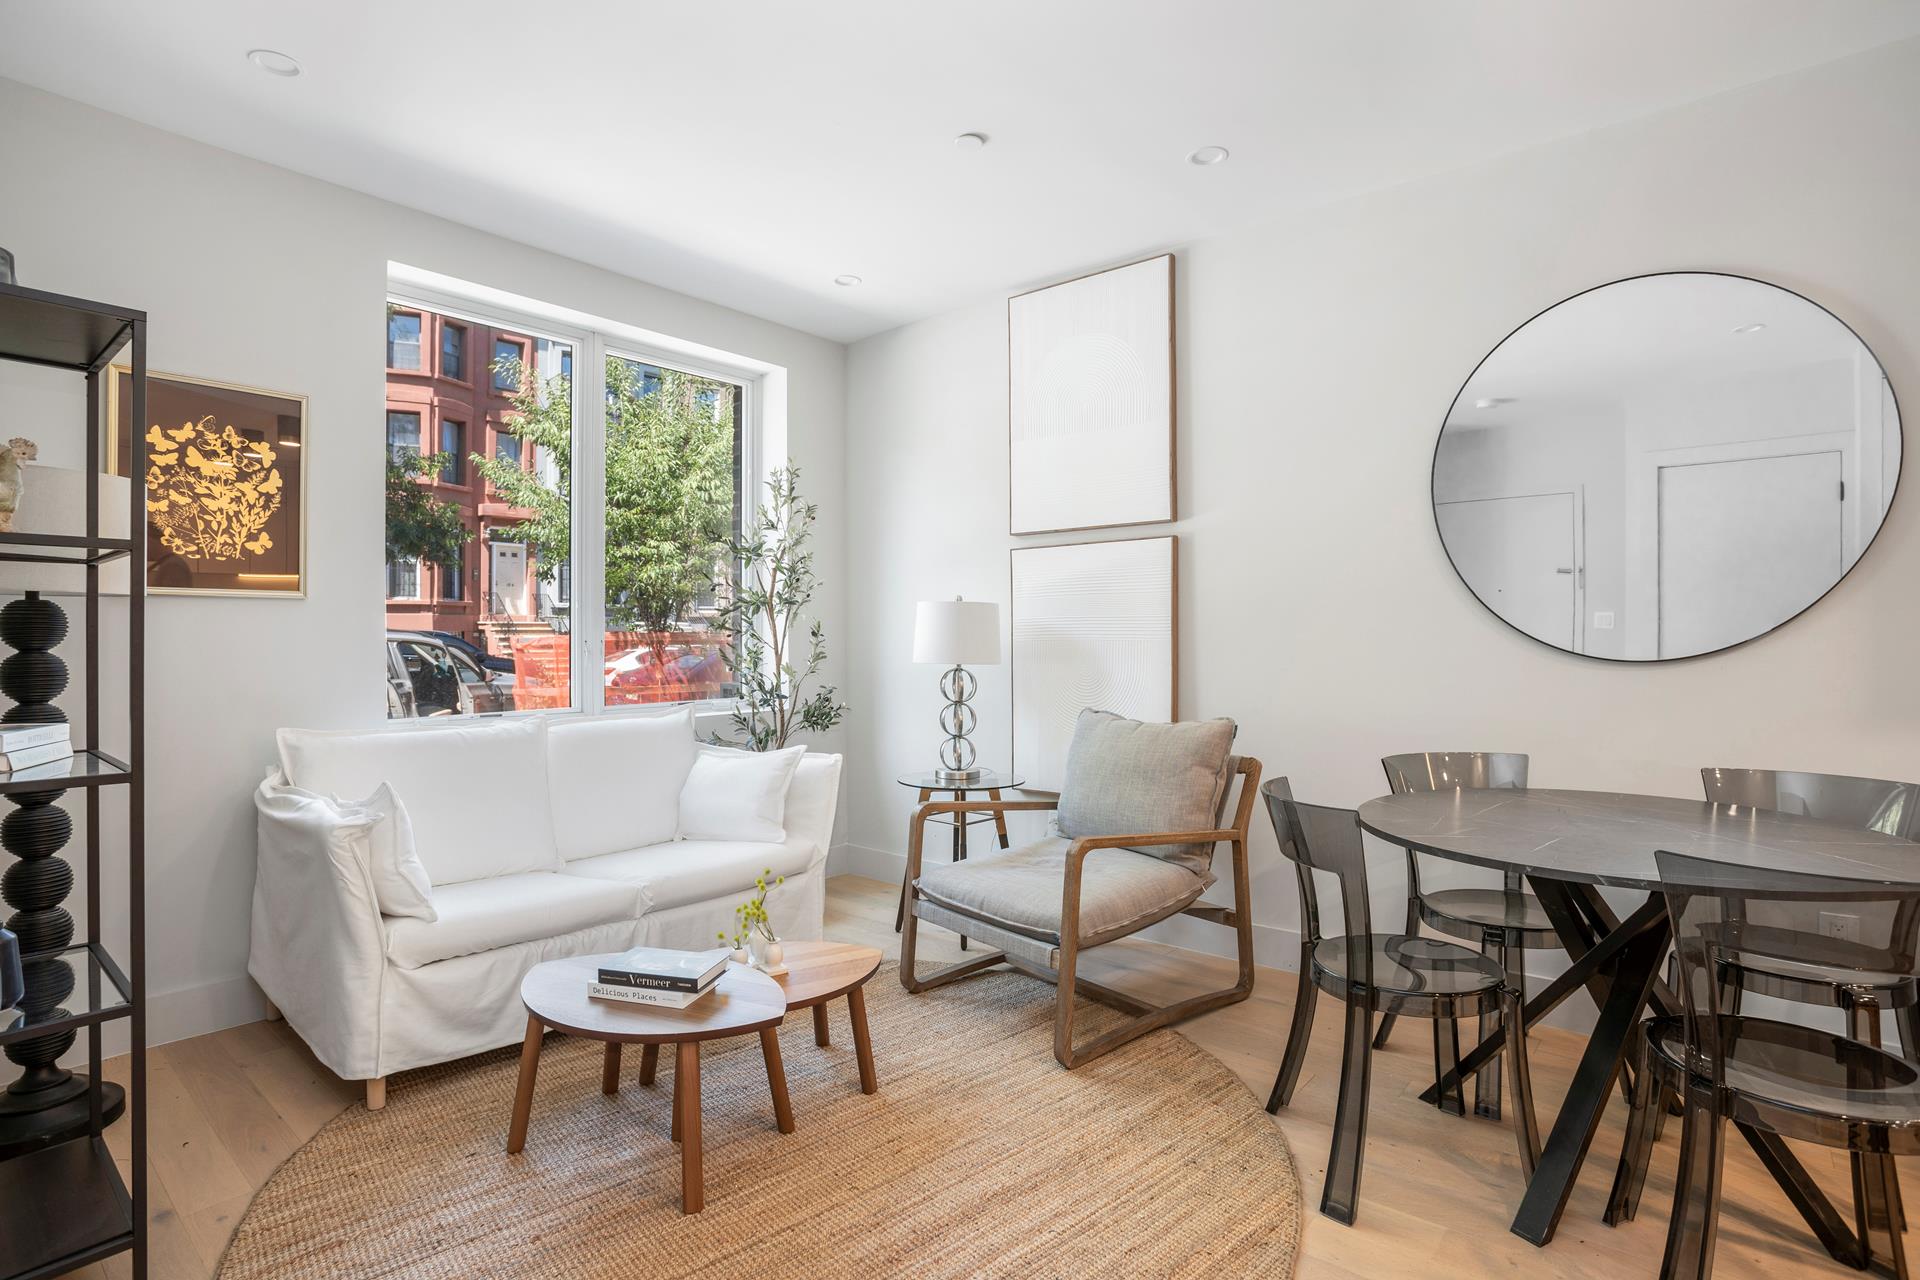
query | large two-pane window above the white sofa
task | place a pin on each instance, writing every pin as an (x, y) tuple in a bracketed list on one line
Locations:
[(544, 577)]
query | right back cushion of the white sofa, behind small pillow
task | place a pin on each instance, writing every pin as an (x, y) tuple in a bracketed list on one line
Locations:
[(617, 780)]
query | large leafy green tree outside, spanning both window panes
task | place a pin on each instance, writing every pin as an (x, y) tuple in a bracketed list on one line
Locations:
[(669, 488)]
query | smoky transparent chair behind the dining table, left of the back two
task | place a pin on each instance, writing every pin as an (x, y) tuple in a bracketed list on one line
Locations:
[(1502, 920)]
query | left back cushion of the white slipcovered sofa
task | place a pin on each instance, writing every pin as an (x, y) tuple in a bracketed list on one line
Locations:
[(471, 790)]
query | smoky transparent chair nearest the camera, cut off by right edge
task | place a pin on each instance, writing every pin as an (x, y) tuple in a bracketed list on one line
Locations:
[(1808, 1083)]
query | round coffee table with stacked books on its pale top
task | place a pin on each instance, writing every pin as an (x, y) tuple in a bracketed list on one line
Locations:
[(744, 1001)]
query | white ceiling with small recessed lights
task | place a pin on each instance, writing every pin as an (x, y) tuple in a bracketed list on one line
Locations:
[(752, 151)]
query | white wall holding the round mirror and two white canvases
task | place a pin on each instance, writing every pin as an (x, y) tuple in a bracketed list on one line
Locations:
[(1316, 364)]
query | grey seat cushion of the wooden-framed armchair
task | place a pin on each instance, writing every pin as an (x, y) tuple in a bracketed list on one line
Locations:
[(1020, 891)]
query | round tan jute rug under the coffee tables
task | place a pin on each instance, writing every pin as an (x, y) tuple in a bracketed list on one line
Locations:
[(976, 1158)]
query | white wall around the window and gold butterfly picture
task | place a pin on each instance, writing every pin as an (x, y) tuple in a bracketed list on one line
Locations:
[(258, 275)]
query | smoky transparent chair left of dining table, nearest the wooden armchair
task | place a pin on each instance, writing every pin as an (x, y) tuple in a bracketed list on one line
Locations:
[(1378, 974)]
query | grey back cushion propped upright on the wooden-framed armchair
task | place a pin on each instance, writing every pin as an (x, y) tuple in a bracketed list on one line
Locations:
[(1128, 776)]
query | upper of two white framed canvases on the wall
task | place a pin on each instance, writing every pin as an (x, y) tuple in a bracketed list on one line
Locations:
[(1092, 400)]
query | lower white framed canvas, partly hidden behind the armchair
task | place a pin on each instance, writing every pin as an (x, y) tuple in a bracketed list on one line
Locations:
[(1093, 627)]
